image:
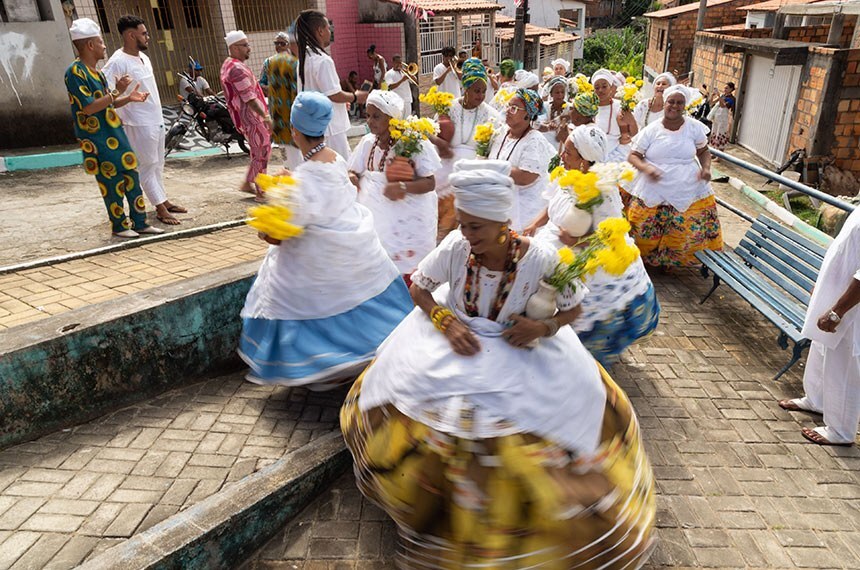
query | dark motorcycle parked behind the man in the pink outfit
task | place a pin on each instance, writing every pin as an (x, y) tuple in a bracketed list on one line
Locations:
[(209, 117)]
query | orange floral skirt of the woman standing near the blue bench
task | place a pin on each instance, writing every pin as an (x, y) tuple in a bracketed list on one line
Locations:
[(669, 238)]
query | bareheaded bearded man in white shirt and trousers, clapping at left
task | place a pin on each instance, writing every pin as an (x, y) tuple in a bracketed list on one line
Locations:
[(143, 123)]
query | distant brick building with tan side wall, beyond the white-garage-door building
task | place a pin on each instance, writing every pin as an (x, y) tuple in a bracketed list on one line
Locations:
[(671, 33)]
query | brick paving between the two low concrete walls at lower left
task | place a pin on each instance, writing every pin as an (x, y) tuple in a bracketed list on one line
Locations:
[(71, 495)]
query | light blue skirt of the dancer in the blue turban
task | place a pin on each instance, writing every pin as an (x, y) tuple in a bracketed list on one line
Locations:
[(322, 354)]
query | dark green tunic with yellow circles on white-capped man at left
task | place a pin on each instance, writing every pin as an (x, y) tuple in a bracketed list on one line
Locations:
[(104, 144)]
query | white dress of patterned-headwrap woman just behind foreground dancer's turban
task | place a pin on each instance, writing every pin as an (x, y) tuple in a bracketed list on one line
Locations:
[(531, 153)]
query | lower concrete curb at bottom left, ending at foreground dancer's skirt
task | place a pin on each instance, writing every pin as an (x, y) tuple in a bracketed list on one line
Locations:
[(225, 529)]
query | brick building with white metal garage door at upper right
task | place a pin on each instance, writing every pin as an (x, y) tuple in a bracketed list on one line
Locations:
[(798, 90)]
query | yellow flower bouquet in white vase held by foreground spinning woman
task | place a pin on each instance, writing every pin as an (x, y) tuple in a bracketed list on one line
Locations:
[(607, 249)]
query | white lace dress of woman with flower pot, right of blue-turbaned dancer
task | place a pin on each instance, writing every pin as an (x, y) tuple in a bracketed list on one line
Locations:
[(407, 227)]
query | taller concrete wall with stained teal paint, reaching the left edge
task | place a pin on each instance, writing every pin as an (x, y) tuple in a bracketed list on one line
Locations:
[(78, 365)]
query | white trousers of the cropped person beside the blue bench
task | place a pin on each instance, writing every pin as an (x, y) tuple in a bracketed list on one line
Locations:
[(832, 386)]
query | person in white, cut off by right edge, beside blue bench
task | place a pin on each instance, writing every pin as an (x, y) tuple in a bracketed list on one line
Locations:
[(832, 379)]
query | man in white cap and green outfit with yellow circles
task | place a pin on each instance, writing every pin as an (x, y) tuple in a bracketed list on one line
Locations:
[(107, 153)]
